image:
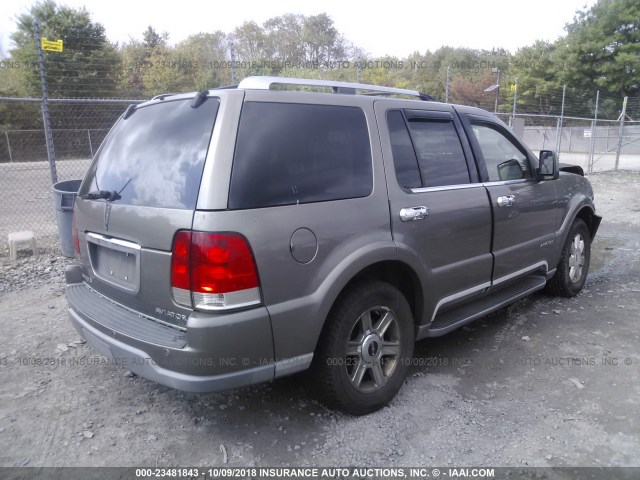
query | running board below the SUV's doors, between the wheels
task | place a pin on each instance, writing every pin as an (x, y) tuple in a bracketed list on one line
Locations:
[(459, 316)]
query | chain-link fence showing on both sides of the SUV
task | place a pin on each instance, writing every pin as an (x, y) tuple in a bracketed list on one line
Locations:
[(78, 127)]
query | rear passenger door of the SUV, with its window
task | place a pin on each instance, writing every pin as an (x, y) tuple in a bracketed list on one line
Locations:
[(440, 213)]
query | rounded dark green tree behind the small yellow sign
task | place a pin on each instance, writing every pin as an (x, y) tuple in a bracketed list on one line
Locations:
[(87, 67)]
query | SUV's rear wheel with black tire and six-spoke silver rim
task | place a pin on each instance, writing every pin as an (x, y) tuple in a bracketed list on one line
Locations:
[(365, 349)]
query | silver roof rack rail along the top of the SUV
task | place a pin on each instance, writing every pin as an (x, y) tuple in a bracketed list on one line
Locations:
[(265, 83)]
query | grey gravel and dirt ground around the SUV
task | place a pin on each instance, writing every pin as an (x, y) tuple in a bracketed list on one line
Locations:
[(546, 382)]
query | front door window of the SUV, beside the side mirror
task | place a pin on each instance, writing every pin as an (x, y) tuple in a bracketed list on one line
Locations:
[(504, 160)]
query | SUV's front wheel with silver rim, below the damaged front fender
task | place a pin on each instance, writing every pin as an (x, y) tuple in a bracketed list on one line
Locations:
[(571, 273)]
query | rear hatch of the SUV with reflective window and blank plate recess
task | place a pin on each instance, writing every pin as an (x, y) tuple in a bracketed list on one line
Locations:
[(142, 188)]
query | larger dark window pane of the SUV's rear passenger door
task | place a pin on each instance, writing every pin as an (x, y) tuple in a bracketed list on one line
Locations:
[(440, 155)]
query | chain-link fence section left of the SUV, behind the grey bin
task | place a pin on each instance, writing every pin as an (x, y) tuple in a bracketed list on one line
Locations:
[(27, 175)]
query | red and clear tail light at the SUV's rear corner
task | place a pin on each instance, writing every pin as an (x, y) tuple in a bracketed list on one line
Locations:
[(213, 270)]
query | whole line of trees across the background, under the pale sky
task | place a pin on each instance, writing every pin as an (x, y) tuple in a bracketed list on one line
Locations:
[(600, 51)]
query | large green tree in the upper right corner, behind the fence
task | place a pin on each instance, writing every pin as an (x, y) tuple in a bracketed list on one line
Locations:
[(601, 51)]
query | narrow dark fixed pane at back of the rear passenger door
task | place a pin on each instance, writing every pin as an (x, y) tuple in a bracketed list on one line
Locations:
[(404, 156)]
